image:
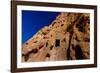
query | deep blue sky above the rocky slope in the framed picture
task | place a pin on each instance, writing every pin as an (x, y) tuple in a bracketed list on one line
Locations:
[(32, 21)]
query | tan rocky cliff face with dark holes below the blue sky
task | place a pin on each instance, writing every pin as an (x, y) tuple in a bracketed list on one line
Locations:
[(67, 38)]
